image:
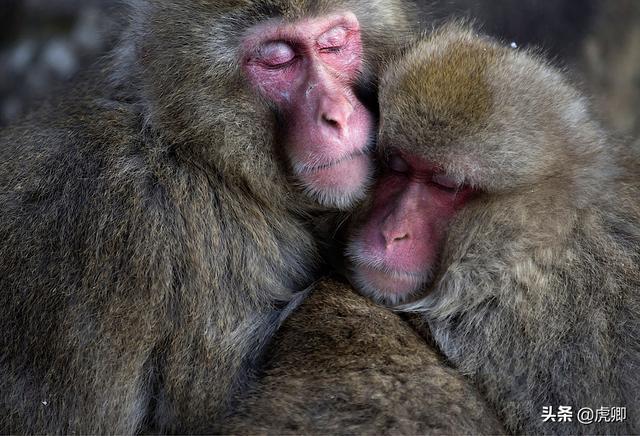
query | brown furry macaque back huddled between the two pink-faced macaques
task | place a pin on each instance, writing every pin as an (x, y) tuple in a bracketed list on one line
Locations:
[(344, 365)]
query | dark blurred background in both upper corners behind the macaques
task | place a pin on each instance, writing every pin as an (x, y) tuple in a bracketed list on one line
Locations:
[(46, 42)]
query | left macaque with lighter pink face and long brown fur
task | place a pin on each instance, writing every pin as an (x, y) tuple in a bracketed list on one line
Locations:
[(151, 230)]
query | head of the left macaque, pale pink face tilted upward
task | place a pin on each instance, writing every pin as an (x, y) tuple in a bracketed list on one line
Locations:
[(268, 92)]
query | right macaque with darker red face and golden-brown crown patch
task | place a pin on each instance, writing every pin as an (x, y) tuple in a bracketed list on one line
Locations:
[(507, 217)]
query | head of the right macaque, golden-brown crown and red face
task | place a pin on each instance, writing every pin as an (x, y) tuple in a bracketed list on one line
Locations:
[(464, 121)]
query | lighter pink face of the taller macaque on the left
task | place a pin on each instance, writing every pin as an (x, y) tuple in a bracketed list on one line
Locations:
[(308, 70)]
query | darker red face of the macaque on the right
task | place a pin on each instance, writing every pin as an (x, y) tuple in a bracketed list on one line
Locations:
[(395, 250)]
